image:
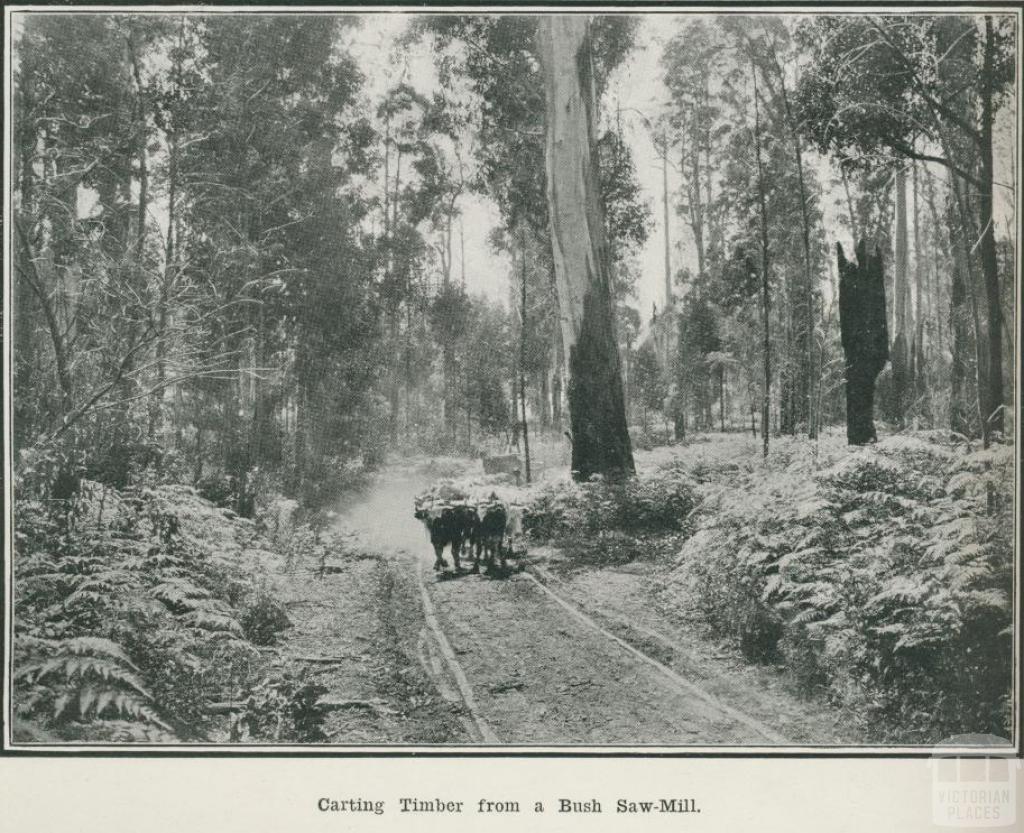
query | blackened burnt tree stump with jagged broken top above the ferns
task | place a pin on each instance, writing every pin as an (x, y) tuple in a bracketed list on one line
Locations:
[(865, 336)]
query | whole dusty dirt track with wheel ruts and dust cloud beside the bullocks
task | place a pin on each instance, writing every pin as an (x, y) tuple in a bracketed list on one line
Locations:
[(532, 658)]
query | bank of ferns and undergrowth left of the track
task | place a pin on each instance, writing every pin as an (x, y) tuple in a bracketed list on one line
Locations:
[(151, 614)]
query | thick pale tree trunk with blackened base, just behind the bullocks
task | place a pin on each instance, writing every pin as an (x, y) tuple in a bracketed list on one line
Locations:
[(598, 412)]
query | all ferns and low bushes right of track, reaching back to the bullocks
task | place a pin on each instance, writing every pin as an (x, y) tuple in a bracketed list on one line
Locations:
[(879, 578)]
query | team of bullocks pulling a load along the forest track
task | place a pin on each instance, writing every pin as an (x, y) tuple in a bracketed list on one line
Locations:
[(489, 527)]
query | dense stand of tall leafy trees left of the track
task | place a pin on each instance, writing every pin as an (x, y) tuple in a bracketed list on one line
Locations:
[(209, 278)]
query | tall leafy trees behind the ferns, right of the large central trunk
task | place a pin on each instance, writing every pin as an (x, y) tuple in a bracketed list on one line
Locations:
[(789, 138)]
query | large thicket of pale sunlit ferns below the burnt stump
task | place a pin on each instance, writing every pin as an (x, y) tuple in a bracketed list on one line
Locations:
[(878, 577)]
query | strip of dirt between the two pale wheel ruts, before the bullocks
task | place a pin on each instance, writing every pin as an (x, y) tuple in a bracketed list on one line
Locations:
[(545, 674)]
